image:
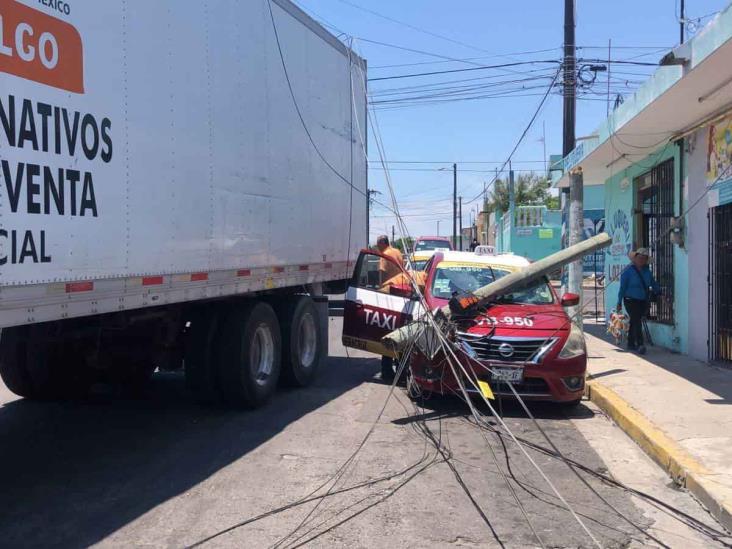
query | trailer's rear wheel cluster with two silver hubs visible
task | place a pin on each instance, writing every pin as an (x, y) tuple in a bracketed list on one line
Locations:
[(238, 354)]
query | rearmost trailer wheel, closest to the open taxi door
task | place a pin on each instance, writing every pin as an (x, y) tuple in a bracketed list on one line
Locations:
[(302, 341)]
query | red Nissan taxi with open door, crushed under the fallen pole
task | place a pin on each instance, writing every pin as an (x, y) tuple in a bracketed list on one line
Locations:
[(525, 338)]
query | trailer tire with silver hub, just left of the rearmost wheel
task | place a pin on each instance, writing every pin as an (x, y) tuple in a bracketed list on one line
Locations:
[(249, 354)]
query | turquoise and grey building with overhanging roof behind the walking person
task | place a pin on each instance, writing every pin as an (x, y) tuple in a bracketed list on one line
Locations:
[(664, 158)]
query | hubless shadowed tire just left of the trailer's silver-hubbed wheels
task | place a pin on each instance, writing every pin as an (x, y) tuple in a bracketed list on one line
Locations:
[(198, 356)]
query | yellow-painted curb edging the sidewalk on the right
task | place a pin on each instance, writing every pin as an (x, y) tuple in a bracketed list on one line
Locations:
[(675, 460)]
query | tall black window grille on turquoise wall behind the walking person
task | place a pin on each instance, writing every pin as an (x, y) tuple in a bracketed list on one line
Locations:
[(655, 210)]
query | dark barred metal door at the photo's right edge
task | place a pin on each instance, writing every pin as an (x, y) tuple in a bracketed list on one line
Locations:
[(720, 283)]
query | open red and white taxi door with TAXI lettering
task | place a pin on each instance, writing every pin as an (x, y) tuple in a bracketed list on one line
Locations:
[(375, 307)]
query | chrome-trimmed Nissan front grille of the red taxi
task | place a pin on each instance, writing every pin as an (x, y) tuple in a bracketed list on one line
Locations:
[(508, 349)]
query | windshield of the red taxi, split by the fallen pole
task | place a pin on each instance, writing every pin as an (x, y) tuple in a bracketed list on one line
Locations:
[(456, 277)]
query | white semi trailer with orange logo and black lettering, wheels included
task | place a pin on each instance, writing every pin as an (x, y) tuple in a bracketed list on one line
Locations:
[(177, 182)]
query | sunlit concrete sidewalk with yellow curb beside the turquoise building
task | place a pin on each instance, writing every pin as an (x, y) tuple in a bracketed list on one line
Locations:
[(677, 409)]
